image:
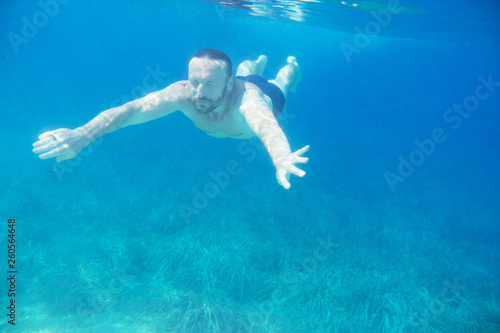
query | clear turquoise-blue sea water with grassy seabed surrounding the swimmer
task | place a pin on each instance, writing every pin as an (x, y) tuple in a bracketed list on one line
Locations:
[(395, 227)]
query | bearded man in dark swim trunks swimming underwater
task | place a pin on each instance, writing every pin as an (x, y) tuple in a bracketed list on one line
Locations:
[(219, 104)]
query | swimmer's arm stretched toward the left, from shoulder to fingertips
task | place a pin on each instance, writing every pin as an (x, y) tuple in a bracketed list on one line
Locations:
[(65, 143)]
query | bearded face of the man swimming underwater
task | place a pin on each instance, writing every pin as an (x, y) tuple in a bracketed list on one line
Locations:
[(207, 83)]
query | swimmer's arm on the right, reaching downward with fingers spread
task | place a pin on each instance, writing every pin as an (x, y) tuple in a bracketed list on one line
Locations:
[(261, 120)]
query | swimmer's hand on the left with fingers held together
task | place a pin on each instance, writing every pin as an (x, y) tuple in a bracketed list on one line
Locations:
[(63, 143)]
